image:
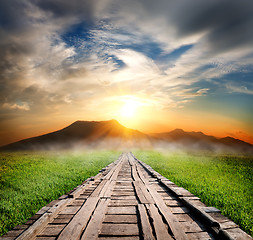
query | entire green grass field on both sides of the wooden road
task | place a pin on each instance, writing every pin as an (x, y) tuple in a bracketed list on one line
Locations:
[(28, 181)]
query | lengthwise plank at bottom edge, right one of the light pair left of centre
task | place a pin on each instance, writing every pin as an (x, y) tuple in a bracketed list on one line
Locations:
[(93, 228)]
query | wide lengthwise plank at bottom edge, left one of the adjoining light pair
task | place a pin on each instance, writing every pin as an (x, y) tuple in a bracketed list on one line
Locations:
[(76, 226)]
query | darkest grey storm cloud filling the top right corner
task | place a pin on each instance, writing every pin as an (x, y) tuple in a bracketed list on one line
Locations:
[(229, 23)]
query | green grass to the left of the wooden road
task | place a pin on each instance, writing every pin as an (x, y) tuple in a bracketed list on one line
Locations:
[(28, 181)]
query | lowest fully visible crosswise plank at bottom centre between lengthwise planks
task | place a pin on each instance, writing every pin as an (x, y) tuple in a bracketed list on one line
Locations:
[(119, 230)]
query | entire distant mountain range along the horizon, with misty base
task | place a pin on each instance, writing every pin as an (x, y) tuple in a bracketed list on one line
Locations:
[(113, 135)]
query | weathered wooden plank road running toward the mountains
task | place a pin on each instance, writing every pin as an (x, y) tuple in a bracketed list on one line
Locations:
[(127, 200)]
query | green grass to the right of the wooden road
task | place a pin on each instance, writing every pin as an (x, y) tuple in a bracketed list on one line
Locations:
[(223, 181)]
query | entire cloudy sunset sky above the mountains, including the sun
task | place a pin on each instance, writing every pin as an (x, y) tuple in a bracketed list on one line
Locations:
[(152, 65)]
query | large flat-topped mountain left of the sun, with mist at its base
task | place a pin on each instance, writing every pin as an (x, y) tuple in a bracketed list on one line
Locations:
[(95, 134)]
